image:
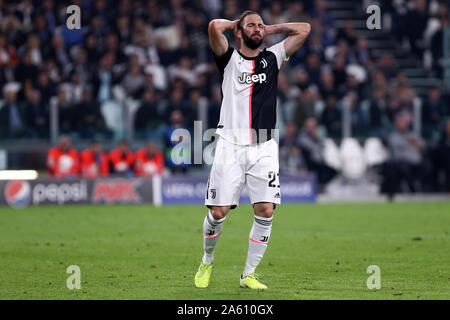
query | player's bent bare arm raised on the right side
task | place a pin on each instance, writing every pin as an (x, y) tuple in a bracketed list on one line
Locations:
[(296, 32)]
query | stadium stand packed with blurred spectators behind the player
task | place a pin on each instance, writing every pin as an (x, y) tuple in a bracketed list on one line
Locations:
[(135, 69)]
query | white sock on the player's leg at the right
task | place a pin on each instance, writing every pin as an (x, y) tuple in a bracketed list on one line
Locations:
[(257, 244)]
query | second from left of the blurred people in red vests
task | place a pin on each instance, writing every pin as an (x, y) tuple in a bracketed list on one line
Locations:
[(94, 162)]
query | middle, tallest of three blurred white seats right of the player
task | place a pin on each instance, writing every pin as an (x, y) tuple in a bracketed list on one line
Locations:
[(353, 162)]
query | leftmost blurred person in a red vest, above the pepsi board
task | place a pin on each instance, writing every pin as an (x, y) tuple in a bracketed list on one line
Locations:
[(62, 160)]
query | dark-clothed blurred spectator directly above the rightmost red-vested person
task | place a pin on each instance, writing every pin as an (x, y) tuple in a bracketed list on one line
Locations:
[(147, 117)]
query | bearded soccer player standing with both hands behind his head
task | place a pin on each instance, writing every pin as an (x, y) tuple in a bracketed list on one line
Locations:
[(246, 151)]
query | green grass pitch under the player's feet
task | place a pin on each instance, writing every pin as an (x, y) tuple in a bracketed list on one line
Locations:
[(316, 251)]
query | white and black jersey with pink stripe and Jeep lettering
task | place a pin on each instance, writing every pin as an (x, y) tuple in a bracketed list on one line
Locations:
[(249, 94)]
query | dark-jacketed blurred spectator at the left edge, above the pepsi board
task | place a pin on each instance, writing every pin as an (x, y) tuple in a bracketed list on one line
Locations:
[(12, 114)]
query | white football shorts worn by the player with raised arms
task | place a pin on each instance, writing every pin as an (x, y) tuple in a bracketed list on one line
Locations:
[(255, 166)]
